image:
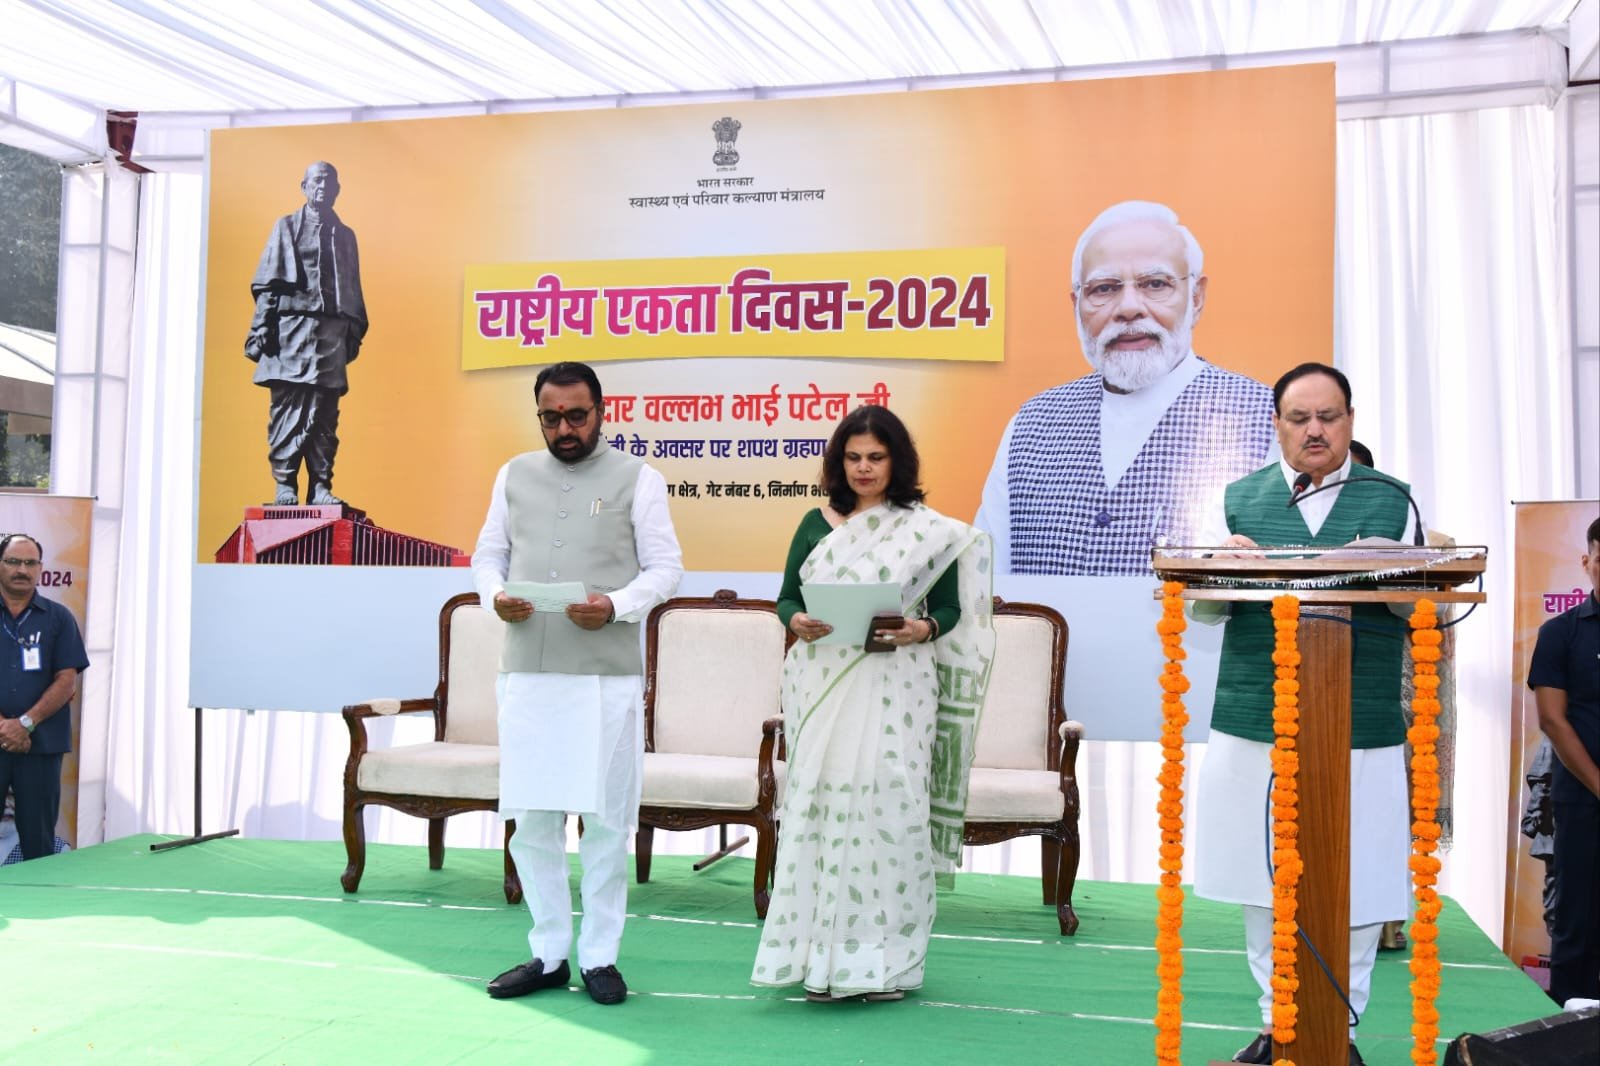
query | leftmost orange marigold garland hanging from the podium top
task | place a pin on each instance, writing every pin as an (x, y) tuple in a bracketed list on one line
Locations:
[(1170, 808)]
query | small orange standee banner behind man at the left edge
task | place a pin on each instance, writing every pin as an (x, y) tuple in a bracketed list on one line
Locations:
[(62, 526)]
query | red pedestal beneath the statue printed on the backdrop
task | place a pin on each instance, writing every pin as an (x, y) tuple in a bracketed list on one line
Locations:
[(330, 535)]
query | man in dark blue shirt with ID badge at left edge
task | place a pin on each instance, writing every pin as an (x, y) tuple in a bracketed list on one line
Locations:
[(41, 660)]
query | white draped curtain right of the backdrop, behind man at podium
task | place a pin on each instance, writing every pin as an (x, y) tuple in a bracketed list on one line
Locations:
[(1452, 315)]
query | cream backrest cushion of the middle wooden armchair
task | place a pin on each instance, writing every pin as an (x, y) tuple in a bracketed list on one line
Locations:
[(718, 679)]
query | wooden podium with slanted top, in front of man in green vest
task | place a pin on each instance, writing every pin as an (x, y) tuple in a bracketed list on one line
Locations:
[(1329, 582)]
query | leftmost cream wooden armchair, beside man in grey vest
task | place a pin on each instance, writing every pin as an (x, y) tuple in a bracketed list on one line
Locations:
[(455, 772)]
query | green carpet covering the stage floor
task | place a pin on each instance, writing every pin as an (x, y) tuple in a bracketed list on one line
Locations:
[(247, 952)]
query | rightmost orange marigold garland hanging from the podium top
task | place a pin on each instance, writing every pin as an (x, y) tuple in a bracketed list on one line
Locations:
[(1425, 832)]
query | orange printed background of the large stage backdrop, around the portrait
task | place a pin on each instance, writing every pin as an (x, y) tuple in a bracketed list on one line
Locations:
[(742, 275)]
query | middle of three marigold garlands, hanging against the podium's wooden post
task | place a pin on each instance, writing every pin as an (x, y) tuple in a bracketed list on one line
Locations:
[(1286, 819)]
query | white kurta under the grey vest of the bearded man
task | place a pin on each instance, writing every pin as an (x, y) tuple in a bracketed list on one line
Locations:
[(559, 732)]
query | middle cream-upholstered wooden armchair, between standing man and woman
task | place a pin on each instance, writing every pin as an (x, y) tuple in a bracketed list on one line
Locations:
[(713, 726)]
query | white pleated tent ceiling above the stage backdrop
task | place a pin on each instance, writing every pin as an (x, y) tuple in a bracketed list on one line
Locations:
[(201, 65)]
